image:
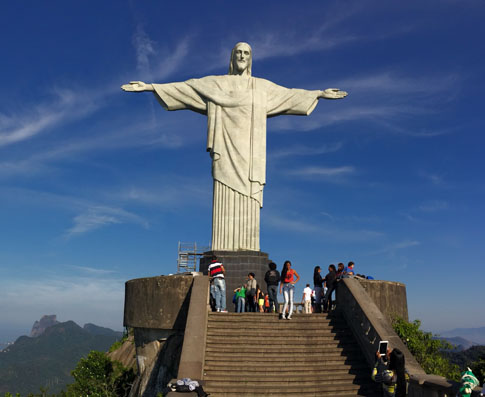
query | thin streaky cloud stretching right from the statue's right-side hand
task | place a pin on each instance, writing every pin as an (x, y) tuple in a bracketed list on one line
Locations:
[(382, 99)]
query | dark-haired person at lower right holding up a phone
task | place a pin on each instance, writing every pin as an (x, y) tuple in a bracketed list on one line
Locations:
[(390, 372)]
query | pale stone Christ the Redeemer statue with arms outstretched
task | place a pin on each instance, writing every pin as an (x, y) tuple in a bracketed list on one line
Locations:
[(236, 106)]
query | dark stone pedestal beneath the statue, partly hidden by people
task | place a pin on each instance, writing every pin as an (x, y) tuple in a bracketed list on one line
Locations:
[(237, 265)]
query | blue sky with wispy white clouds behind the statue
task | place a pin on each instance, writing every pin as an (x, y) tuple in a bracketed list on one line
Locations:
[(97, 186)]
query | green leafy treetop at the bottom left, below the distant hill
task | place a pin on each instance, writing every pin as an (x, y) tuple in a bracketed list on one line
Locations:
[(98, 376)]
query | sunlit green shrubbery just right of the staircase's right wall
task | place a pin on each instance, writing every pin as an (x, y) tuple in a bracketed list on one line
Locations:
[(427, 350)]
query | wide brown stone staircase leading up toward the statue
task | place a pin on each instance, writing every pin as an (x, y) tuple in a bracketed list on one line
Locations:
[(256, 354)]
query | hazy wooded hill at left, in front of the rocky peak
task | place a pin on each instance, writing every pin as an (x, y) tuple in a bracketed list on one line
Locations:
[(48, 359)]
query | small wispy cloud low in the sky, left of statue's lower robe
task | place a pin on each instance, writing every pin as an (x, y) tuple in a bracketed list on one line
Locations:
[(96, 217)]
